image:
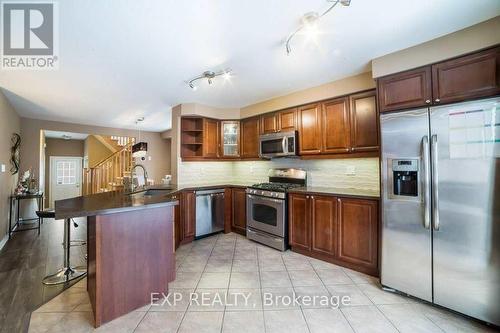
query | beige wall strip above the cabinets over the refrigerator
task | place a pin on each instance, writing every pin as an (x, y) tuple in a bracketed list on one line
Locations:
[(470, 39)]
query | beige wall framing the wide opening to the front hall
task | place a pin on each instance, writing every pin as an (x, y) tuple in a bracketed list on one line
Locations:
[(158, 148)]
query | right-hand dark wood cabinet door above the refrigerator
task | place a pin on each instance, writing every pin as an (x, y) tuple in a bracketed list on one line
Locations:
[(473, 76)]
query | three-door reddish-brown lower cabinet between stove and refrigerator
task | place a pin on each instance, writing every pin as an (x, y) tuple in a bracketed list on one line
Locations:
[(343, 231)]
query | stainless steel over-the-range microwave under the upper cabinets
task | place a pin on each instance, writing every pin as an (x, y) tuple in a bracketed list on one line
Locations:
[(280, 144)]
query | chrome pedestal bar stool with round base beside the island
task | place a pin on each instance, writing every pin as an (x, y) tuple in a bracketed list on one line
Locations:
[(66, 273)]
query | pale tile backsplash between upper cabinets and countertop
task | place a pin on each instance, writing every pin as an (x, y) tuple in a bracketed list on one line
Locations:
[(358, 173)]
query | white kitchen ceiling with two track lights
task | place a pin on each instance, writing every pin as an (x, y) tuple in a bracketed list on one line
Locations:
[(122, 59)]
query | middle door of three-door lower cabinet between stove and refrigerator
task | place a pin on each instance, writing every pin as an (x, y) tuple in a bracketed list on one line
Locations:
[(324, 224)]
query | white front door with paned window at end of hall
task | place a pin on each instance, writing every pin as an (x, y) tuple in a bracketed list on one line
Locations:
[(65, 178)]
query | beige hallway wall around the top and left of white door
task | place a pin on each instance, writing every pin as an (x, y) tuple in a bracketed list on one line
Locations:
[(59, 147)]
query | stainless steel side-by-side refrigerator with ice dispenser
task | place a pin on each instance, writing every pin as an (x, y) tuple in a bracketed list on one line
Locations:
[(441, 206)]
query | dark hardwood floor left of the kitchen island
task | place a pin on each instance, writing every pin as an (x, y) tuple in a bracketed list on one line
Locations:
[(24, 261)]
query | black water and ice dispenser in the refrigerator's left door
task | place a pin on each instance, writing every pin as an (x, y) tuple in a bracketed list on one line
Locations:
[(405, 177)]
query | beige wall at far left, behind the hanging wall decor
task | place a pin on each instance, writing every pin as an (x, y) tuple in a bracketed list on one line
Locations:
[(10, 123)]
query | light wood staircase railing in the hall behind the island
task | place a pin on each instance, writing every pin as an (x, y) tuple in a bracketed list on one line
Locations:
[(108, 174)]
